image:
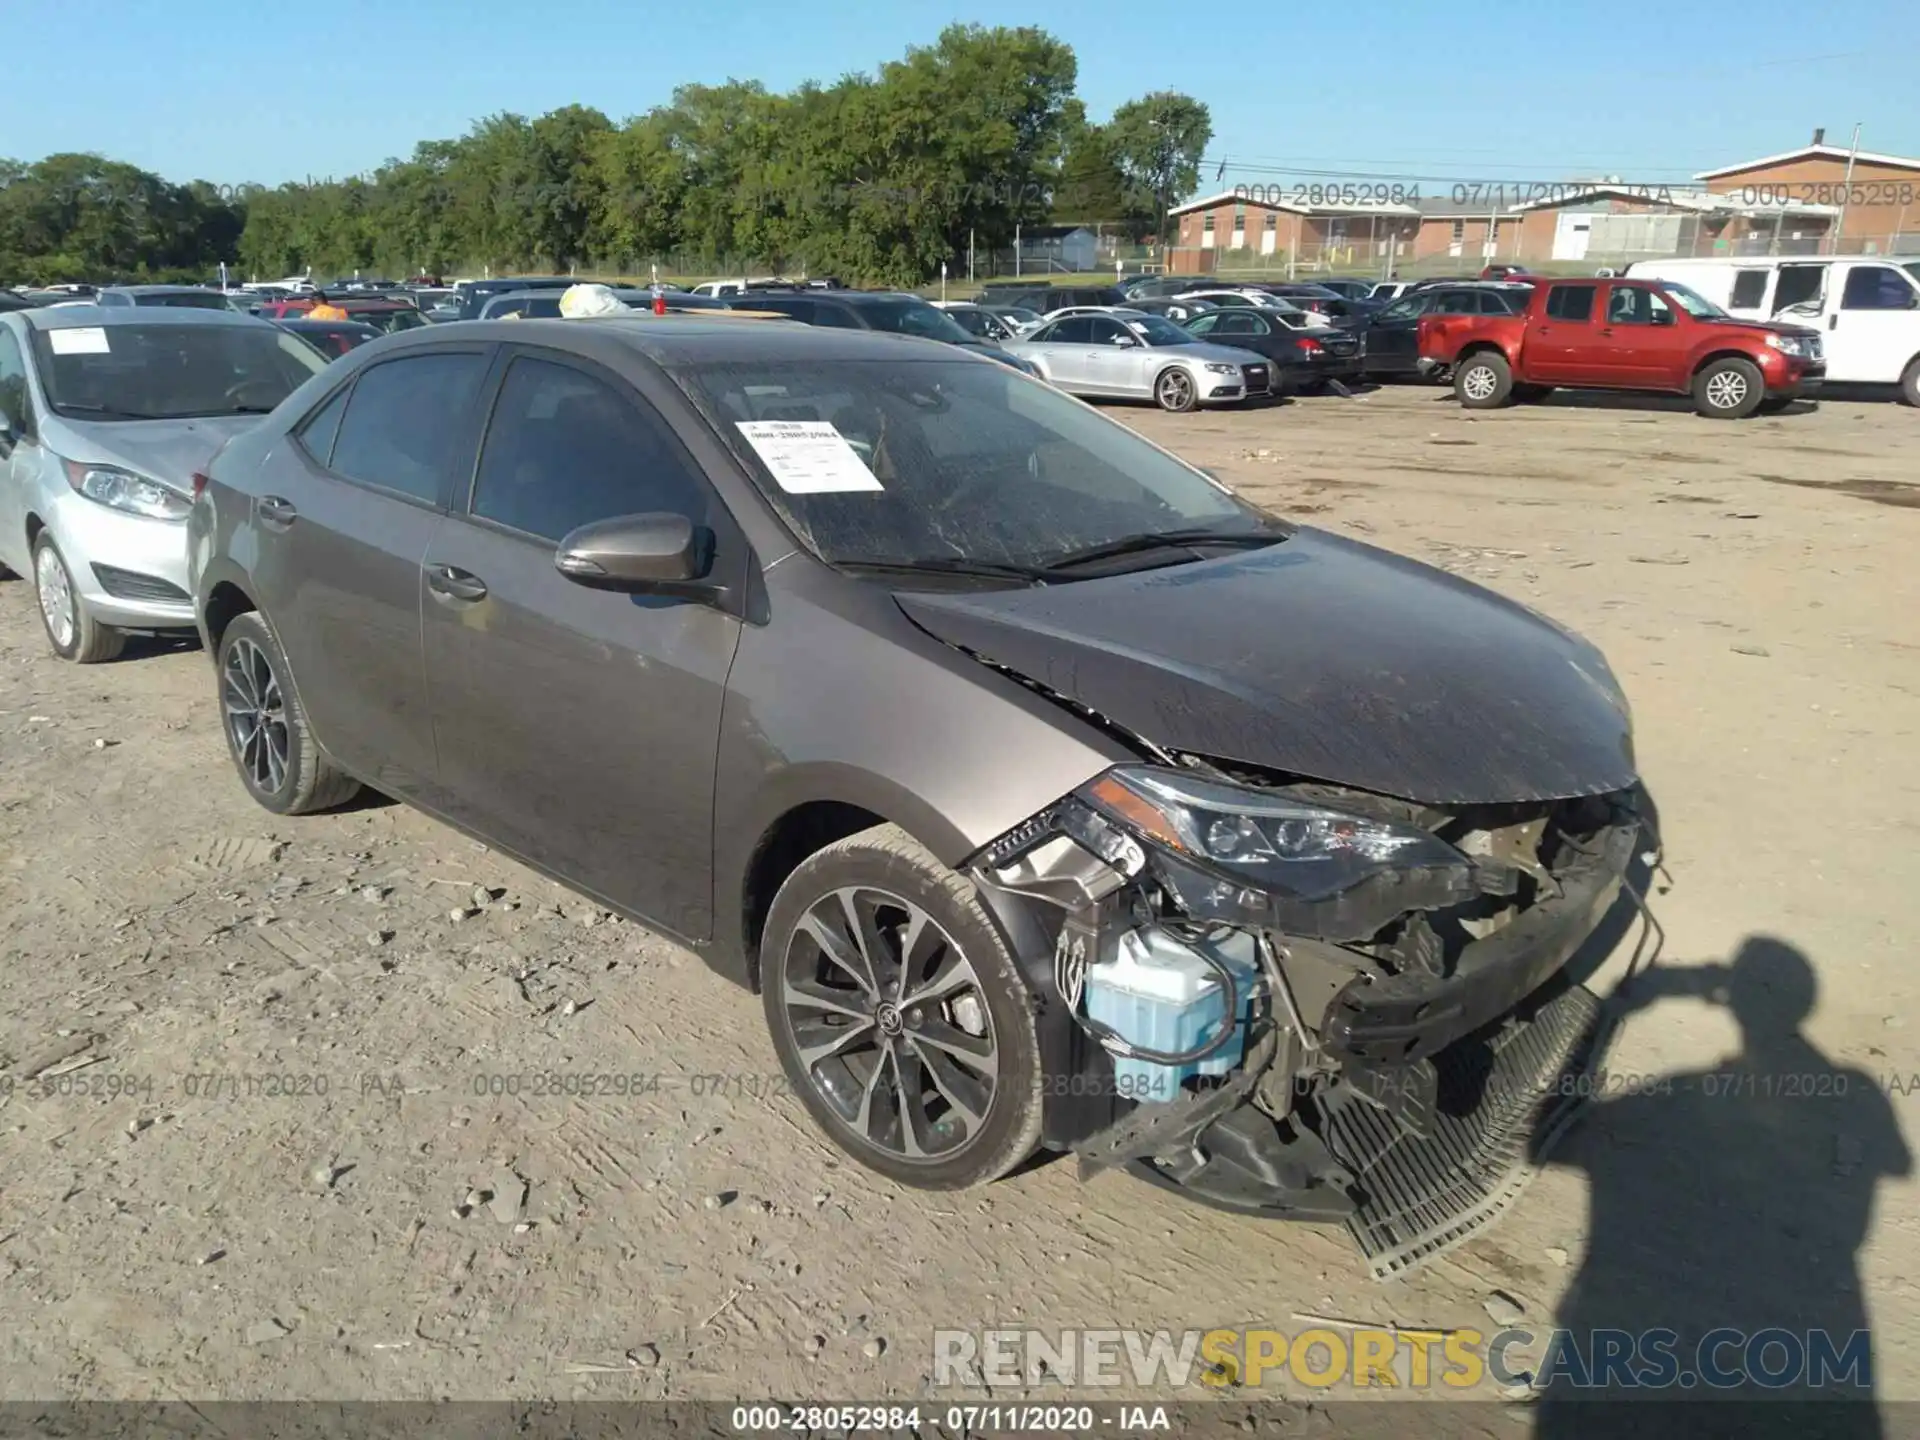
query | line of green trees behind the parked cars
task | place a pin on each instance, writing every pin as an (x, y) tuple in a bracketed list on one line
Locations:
[(876, 178)]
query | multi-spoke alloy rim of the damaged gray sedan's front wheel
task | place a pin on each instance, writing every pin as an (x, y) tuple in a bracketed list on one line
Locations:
[(890, 1024)]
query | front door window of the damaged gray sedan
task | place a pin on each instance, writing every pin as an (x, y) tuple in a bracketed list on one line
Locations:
[(565, 448)]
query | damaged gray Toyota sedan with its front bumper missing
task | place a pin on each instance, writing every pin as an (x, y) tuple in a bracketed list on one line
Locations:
[(1049, 794)]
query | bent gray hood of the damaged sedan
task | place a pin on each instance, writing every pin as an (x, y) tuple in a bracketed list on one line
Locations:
[(1320, 658)]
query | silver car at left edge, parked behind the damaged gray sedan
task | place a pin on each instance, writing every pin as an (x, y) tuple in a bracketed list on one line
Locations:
[(107, 414)]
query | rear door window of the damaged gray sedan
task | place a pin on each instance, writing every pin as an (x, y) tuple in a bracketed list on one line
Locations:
[(406, 421)]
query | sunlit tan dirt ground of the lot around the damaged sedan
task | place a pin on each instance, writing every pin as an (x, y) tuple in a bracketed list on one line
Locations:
[(1754, 585)]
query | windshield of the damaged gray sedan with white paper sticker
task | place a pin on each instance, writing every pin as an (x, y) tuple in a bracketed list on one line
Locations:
[(949, 464)]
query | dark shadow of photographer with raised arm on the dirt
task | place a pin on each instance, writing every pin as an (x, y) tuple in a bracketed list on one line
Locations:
[(1729, 1199)]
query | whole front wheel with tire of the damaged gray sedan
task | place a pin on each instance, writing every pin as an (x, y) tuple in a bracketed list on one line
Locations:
[(900, 1015)]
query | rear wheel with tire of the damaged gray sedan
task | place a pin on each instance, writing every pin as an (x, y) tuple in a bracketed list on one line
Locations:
[(268, 736)]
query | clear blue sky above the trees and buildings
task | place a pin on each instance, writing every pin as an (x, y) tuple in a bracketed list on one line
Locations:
[(268, 91)]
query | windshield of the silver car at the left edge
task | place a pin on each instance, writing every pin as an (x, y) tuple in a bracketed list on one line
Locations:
[(170, 372)]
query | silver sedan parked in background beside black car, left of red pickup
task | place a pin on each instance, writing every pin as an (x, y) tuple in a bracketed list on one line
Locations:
[(1128, 354)]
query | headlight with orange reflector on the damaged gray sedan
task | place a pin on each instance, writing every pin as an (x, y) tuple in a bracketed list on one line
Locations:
[(1276, 842)]
